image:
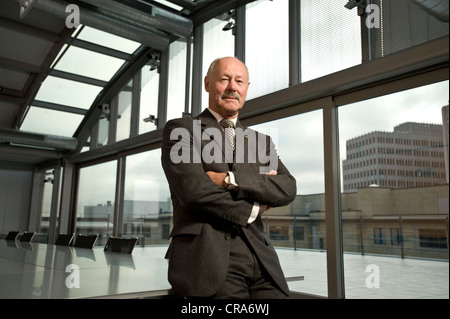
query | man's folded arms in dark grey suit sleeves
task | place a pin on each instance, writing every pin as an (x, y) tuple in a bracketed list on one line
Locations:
[(198, 187)]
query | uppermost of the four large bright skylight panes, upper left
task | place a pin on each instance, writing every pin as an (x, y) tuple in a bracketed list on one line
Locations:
[(108, 40)]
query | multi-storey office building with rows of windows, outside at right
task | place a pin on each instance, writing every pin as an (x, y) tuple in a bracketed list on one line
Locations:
[(410, 156)]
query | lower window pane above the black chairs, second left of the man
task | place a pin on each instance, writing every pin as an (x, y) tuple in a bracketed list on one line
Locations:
[(95, 201)]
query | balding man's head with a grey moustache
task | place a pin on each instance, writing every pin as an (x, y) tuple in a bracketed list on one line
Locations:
[(227, 85)]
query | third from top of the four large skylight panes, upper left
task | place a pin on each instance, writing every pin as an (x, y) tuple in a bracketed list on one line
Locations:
[(67, 92)]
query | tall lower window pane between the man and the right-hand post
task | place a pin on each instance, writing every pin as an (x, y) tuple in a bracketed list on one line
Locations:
[(297, 231)]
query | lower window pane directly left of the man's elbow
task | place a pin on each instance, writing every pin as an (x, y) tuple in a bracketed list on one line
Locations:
[(147, 207)]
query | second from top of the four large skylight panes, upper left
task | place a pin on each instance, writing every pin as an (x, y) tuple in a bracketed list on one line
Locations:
[(88, 63)]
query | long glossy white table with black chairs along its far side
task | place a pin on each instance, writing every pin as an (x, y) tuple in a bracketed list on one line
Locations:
[(32, 270)]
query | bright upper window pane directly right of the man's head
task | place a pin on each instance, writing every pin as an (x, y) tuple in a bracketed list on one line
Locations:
[(267, 46)]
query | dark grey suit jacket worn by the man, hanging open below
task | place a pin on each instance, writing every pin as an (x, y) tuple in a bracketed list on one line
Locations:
[(204, 213)]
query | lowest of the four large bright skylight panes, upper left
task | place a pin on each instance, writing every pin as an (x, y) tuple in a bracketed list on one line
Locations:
[(51, 122)]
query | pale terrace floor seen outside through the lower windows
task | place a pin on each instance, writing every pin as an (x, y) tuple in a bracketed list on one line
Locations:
[(366, 277)]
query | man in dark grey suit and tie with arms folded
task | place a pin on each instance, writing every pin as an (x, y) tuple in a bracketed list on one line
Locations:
[(218, 248)]
